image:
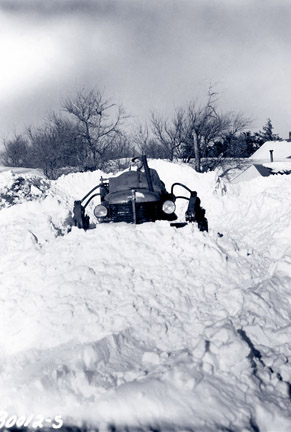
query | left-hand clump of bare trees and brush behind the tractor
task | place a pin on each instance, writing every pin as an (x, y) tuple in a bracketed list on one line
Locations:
[(87, 134)]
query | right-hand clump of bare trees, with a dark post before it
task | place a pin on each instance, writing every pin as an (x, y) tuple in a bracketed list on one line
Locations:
[(193, 132)]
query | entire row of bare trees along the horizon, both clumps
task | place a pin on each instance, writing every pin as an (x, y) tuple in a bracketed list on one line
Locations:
[(91, 130)]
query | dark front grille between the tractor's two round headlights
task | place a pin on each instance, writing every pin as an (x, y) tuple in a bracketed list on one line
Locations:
[(145, 212)]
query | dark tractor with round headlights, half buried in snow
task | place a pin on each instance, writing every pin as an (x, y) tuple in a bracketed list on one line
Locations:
[(137, 197)]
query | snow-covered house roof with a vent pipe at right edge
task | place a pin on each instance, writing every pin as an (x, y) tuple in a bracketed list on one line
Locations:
[(273, 157)]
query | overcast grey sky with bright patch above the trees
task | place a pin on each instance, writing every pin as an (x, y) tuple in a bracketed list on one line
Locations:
[(147, 54)]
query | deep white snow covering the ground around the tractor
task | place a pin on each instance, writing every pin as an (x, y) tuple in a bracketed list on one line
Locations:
[(147, 325)]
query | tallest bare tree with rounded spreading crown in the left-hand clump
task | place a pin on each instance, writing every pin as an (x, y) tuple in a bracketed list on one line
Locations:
[(99, 121)]
